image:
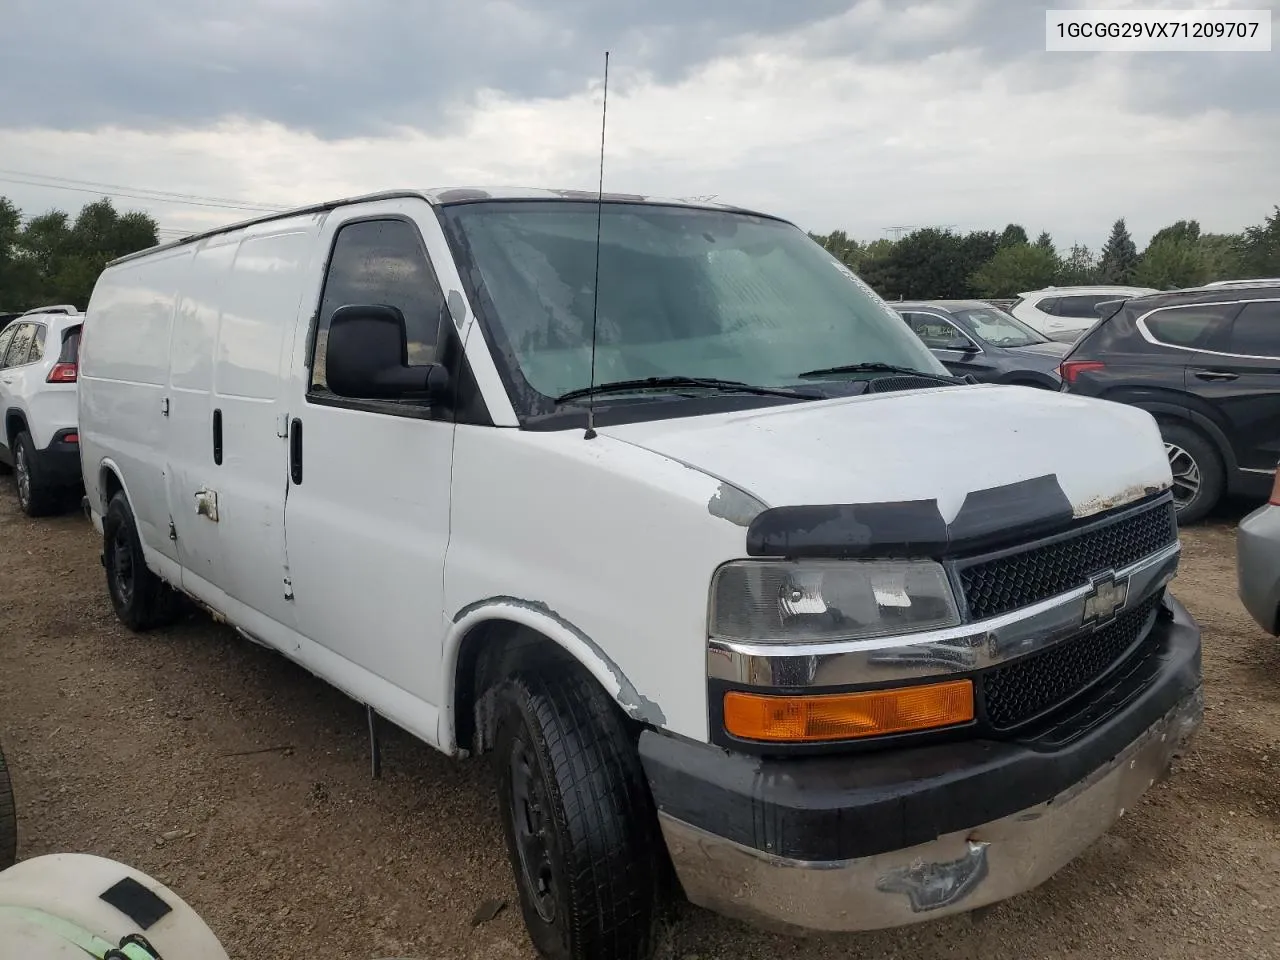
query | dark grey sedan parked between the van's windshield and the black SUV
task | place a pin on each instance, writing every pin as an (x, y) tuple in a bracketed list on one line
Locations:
[(975, 339)]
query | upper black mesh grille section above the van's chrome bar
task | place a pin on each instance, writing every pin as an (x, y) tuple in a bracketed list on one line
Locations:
[(1014, 580)]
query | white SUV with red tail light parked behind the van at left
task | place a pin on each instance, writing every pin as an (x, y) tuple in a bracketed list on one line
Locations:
[(39, 355)]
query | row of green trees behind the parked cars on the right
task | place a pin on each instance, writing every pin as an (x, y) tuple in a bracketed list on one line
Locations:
[(935, 264)]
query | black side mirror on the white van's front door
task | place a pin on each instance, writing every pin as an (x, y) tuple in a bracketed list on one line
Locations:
[(367, 356)]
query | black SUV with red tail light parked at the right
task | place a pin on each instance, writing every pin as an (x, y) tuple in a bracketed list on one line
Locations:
[(1206, 363)]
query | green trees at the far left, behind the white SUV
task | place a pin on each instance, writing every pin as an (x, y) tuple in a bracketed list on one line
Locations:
[(53, 259)]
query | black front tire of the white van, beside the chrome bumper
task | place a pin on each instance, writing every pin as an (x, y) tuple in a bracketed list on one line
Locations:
[(582, 831)]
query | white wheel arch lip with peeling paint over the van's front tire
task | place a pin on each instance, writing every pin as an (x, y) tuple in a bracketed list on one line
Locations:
[(540, 618)]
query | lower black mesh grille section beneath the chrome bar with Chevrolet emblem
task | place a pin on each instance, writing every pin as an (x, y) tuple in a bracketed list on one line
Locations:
[(1025, 689)]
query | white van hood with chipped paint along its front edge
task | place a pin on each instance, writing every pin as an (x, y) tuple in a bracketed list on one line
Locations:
[(938, 445)]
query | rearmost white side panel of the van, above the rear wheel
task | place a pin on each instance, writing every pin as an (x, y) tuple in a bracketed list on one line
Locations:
[(124, 373)]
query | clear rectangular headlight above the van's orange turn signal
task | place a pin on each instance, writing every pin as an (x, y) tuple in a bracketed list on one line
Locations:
[(813, 601)]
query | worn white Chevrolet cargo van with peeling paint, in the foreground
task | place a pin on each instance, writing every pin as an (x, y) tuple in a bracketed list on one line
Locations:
[(662, 506)]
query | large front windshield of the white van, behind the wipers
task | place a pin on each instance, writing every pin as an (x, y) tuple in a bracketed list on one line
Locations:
[(683, 292)]
